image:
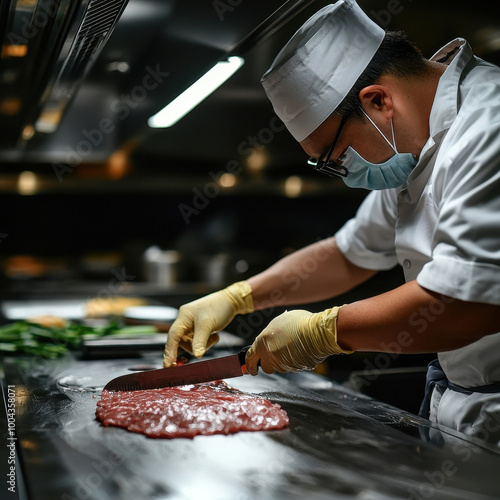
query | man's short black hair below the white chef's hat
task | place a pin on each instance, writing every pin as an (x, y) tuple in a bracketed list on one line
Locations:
[(396, 56)]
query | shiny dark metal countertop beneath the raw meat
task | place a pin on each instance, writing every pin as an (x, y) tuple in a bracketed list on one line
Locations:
[(340, 445)]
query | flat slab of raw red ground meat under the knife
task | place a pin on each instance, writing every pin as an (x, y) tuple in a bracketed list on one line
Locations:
[(190, 410)]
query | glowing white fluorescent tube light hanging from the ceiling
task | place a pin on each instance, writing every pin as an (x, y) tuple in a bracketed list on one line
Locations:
[(192, 96)]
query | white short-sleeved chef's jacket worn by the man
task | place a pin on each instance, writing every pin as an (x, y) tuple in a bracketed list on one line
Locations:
[(443, 225)]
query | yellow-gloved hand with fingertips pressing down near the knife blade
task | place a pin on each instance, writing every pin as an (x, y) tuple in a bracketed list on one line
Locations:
[(198, 322)]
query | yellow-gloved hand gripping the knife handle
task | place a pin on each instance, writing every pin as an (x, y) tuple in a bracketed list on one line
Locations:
[(295, 341)]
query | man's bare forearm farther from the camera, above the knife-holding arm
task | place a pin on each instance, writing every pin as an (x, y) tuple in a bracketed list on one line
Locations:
[(316, 272)]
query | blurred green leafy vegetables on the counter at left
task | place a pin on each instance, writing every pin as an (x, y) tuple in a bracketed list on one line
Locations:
[(51, 342)]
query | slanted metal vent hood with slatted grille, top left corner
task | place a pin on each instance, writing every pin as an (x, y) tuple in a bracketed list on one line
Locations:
[(48, 47)]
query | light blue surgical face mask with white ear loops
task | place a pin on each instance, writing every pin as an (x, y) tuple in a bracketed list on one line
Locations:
[(390, 174)]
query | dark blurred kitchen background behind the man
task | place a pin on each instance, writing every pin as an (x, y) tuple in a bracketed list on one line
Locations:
[(87, 187)]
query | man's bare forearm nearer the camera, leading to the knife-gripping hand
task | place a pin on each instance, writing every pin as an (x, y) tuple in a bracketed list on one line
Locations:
[(411, 319)]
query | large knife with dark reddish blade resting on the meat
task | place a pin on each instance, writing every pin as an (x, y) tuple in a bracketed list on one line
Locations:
[(191, 373)]
